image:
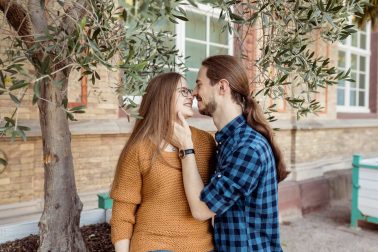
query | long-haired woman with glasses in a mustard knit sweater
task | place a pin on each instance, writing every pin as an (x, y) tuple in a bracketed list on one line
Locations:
[(150, 210)]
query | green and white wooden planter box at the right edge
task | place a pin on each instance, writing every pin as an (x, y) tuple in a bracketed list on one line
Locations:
[(364, 190)]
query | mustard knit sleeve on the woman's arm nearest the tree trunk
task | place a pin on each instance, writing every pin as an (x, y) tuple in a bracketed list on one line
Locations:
[(126, 195)]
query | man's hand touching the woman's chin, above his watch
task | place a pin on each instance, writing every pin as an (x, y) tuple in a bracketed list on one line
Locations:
[(182, 136)]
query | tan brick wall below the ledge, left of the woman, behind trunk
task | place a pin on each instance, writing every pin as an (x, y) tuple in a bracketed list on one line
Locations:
[(95, 159)]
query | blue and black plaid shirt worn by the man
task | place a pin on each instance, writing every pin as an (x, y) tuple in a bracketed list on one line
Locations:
[(243, 191)]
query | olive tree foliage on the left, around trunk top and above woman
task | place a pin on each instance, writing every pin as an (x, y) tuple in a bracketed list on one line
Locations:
[(84, 35)]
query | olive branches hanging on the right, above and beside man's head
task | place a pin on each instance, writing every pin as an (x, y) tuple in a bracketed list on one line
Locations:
[(287, 66)]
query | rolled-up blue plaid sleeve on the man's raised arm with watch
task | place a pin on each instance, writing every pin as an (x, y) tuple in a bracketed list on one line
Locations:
[(237, 176)]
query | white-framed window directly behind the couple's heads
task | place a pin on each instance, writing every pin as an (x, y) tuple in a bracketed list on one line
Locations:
[(200, 38)]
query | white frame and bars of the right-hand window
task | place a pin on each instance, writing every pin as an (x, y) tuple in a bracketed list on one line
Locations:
[(348, 49)]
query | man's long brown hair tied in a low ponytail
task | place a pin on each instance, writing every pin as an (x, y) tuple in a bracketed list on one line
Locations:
[(229, 68)]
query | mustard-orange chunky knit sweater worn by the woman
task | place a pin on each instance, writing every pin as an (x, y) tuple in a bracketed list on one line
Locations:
[(149, 202)]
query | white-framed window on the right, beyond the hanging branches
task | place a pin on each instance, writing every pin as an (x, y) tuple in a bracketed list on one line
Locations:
[(354, 53)]
